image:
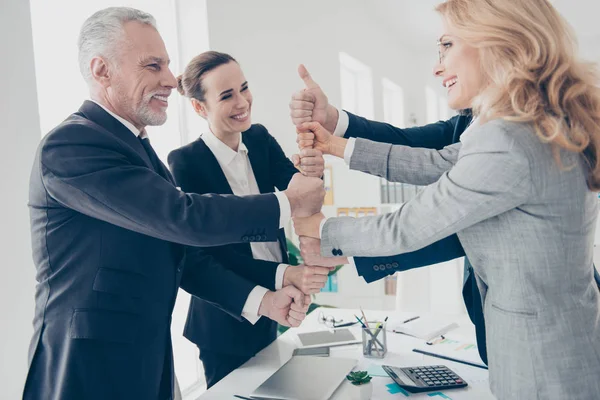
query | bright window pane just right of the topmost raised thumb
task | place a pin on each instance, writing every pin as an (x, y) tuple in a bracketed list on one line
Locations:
[(356, 86)]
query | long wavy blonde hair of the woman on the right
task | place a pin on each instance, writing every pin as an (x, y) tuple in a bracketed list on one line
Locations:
[(528, 55)]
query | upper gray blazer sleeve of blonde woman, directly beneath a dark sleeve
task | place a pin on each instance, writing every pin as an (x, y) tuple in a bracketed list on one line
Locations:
[(396, 163)]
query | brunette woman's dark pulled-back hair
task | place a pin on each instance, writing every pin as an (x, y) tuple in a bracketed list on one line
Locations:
[(189, 83)]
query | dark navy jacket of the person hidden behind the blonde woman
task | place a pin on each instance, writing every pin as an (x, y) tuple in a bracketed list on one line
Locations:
[(433, 136)]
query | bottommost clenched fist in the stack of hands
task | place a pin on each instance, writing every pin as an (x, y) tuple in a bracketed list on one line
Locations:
[(287, 306)]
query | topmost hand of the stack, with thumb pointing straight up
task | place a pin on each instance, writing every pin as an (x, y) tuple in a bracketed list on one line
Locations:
[(311, 104)]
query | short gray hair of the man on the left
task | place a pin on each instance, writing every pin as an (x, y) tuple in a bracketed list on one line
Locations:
[(101, 34)]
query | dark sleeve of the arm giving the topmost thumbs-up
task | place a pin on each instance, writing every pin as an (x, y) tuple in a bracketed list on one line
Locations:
[(432, 136)]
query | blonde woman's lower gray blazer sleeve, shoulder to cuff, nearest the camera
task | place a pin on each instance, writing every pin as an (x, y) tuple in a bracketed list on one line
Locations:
[(492, 176)]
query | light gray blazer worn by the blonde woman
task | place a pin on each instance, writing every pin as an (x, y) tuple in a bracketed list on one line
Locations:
[(528, 229)]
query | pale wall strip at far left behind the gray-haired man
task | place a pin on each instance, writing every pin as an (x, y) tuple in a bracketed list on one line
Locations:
[(20, 136)]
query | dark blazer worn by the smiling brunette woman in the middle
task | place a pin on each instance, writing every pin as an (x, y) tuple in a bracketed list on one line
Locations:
[(196, 170)]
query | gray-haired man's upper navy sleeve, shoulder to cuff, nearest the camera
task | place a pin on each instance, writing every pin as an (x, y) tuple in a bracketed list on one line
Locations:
[(84, 171)]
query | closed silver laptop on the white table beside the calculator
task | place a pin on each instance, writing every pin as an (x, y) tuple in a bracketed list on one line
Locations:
[(306, 377)]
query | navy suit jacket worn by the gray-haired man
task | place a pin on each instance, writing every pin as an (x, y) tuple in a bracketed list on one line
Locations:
[(108, 229)]
